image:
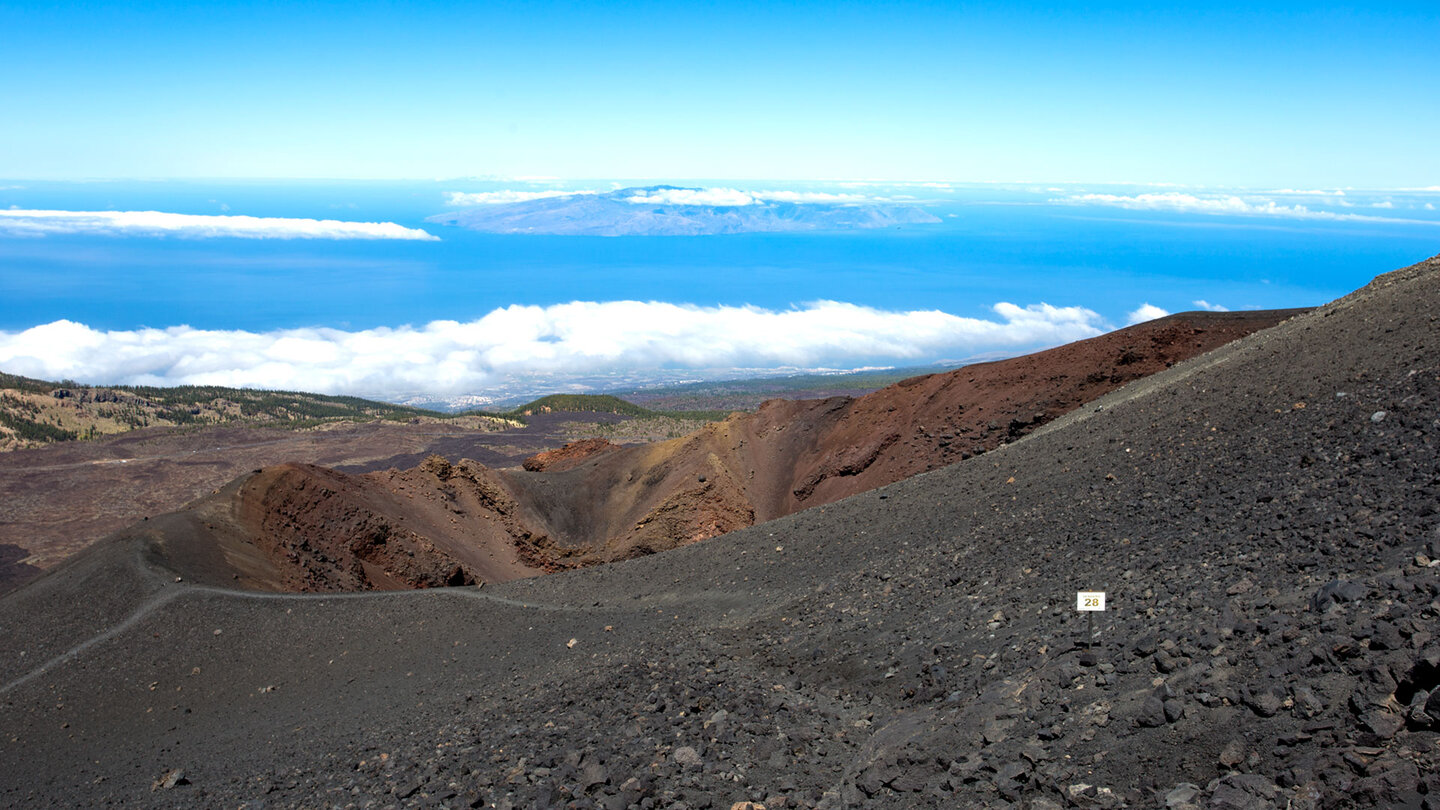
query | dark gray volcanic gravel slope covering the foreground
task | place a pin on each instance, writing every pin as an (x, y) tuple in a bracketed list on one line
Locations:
[(1264, 521)]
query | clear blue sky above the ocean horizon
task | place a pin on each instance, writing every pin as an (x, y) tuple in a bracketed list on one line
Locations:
[(1255, 94)]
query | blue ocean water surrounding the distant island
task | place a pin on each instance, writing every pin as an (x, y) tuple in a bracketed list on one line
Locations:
[(1023, 246)]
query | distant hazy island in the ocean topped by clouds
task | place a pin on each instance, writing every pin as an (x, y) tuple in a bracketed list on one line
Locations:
[(616, 215)]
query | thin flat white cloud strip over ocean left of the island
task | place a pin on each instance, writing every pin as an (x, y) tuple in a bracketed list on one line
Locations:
[(22, 223)]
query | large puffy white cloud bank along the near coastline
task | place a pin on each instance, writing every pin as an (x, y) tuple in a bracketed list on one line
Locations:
[(577, 338)]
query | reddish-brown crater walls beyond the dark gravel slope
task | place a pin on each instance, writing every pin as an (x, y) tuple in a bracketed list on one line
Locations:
[(598, 502)]
